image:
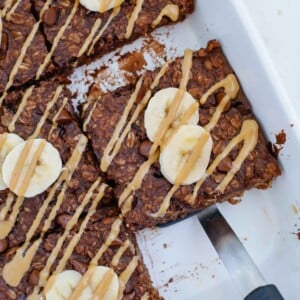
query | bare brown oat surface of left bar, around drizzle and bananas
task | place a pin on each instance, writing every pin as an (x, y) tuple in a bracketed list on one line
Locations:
[(60, 128)]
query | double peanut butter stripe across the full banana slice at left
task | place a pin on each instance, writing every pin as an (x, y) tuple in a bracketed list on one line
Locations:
[(25, 166)]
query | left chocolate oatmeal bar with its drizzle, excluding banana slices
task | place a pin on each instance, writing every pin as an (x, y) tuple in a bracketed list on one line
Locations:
[(45, 111)]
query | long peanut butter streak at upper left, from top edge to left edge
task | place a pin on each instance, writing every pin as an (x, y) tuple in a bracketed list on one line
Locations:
[(24, 49)]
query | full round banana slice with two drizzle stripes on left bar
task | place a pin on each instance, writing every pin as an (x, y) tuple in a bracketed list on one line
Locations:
[(31, 167)]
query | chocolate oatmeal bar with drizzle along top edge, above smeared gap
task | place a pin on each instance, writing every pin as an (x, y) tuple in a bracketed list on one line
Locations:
[(44, 37)]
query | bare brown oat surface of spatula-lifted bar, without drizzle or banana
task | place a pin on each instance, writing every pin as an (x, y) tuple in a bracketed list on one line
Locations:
[(209, 67)]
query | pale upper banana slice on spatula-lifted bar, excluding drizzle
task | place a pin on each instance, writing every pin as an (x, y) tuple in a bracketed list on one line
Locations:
[(158, 108)]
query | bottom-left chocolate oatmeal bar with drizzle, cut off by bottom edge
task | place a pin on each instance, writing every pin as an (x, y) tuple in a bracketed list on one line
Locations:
[(101, 240)]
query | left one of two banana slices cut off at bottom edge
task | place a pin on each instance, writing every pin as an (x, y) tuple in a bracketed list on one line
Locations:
[(61, 286)]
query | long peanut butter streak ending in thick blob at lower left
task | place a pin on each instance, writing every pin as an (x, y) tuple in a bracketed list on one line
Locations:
[(22, 259)]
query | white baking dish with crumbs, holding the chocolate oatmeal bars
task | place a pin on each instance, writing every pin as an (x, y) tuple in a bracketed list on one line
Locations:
[(181, 260)]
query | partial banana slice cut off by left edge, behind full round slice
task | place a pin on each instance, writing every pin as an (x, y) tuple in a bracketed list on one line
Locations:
[(7, 142)]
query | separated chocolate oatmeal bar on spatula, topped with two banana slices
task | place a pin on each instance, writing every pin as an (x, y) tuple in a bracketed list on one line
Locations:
[(136, 167)]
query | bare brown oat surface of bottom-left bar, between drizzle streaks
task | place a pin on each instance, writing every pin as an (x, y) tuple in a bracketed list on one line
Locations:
[(95, 235)]
